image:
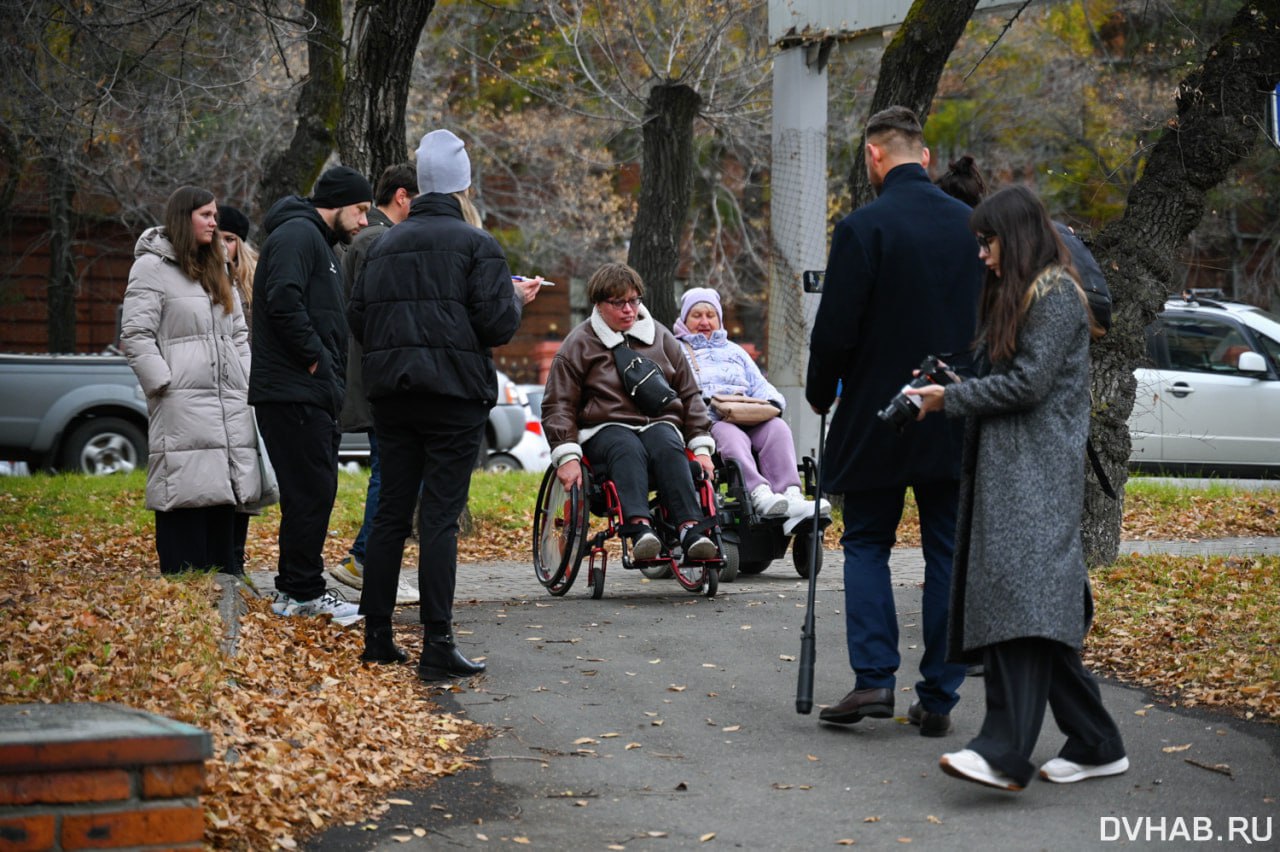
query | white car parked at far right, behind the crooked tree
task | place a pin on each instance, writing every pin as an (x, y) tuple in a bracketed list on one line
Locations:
[(1210, 401)]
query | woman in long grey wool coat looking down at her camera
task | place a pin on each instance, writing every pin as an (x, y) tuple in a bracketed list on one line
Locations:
[(1021, 599)]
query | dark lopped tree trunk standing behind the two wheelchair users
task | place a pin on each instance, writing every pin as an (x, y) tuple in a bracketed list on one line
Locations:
[(666, 186)]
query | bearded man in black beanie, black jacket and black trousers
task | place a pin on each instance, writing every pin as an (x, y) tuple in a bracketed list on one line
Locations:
[(299, 375)]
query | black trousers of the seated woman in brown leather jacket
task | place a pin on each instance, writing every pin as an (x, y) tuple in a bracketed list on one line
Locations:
[(634, 460)]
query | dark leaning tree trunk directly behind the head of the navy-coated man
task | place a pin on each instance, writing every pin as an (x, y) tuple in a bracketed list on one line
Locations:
[(911, 71)]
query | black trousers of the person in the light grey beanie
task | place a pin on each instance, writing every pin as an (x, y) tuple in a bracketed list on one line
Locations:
[(428, 443)]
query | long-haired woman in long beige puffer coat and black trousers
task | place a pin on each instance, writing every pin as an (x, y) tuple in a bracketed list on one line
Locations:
[(185, 335)]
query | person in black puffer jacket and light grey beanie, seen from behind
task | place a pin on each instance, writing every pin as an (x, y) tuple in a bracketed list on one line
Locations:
[(436, 296)]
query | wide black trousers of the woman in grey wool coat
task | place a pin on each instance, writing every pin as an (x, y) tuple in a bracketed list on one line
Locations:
[(1022, 677)]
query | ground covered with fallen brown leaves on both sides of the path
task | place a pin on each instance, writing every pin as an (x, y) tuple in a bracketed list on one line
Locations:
[(303, 739)]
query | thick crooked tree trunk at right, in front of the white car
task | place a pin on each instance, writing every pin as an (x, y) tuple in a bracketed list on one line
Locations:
[(1220, 118)]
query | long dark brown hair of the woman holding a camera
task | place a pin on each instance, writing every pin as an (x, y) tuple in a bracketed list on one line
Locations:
[(1028, 245)]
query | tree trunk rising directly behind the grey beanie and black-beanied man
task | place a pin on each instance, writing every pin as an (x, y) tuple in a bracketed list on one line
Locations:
[(385, 42)]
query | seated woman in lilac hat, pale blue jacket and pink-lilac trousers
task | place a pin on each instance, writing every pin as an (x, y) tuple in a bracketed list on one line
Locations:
[(765, 452)]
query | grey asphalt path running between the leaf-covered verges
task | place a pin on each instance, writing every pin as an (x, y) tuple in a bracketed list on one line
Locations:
[(660, 720)]
